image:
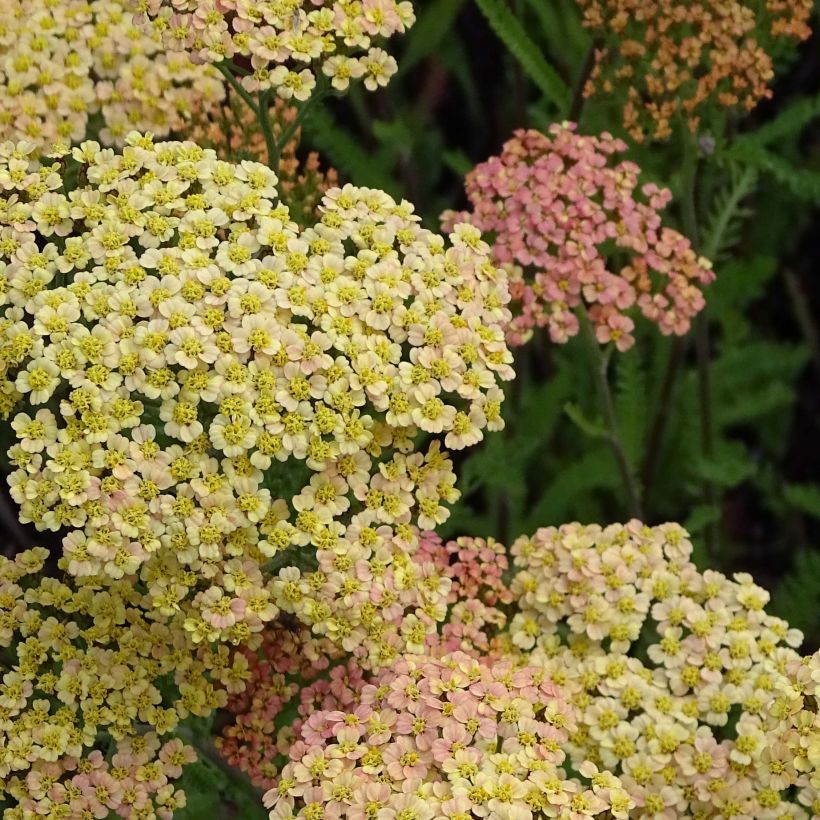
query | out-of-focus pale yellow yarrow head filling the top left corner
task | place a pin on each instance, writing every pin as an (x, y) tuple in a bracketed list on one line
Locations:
[(65, 63)]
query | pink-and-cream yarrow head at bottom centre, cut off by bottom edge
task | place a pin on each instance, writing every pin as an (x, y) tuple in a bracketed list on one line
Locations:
[(450, 738)]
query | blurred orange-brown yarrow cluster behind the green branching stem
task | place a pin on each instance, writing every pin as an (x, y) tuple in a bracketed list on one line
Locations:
[(232, 130)]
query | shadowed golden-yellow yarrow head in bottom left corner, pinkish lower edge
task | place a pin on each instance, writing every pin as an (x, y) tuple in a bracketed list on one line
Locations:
[(76, 662)]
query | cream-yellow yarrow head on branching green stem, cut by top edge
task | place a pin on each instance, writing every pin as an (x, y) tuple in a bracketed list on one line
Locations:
[(288, 42)]
